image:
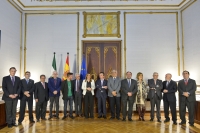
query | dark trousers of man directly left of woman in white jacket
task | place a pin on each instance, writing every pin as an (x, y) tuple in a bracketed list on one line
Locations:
[(78, 103)]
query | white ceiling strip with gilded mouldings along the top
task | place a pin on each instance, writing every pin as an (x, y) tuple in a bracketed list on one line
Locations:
[(99, 4)]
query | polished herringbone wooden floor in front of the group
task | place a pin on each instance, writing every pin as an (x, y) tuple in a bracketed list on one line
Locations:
[(96, 125)]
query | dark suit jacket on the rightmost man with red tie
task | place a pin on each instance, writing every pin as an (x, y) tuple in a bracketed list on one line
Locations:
[(190, 87)]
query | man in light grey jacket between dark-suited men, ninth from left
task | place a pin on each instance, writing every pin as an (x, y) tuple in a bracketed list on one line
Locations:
[(114, 85)]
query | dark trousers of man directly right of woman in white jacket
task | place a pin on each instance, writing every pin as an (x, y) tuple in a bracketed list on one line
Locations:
[(101, 105)]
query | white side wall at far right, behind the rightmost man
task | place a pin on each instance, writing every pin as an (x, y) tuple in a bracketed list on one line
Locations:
[(191, 30)]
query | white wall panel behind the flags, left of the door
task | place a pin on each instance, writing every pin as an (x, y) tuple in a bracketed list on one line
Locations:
[(47, 34)]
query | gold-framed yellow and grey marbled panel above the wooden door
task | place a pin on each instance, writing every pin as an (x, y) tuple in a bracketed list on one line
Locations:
[(101, 24)]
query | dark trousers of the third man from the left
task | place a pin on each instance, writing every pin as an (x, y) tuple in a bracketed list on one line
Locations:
[(41, 109)]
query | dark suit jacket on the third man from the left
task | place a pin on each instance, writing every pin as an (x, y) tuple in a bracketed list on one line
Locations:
[(41, 93)]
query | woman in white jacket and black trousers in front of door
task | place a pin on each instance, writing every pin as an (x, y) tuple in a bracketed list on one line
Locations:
[(88, 87)]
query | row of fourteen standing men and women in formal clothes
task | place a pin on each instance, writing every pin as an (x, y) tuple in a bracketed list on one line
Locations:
[(120, 91)]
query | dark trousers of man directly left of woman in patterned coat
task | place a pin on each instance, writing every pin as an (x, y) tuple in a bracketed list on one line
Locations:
[(130, 108)]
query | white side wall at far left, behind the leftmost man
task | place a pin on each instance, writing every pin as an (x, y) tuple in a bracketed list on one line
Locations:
[(10, 21)]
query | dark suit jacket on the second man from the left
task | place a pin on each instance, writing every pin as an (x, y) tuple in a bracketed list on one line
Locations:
[(27, 87)]
